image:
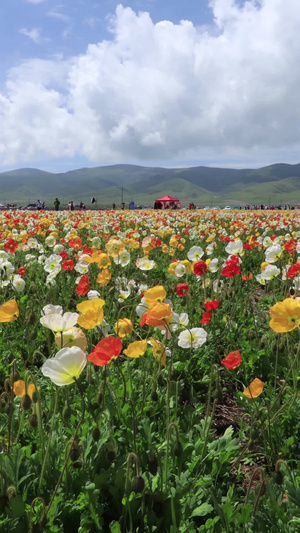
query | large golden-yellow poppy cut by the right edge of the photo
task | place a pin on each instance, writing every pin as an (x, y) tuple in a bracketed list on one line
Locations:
[(285, 316)]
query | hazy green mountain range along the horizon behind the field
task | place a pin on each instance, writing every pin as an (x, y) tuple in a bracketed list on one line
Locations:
[(274, 184)]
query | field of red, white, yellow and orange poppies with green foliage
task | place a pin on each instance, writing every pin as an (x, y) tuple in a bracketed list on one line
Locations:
[(150, 371)]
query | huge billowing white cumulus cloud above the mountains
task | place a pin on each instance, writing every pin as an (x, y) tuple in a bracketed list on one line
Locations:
[(164, 90)]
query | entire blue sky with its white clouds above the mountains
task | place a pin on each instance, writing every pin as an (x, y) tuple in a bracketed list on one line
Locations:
[(86, 83)]
